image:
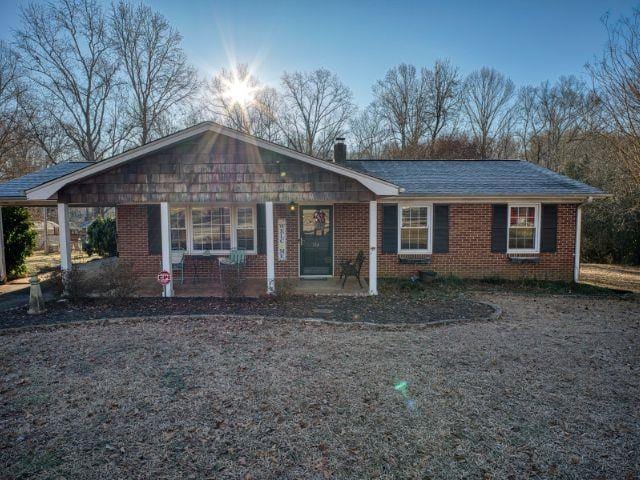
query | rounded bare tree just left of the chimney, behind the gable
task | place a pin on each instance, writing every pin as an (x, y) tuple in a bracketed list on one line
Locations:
[(316, 107)]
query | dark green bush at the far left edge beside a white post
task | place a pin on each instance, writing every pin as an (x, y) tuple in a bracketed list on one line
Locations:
[(19, 239)]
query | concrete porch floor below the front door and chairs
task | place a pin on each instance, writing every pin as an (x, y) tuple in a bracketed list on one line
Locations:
[(256, 287)]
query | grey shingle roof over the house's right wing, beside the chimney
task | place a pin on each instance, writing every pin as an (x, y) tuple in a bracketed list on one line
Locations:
[(472, 177)]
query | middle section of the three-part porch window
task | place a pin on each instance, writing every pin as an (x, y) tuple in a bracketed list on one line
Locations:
[(211, 228)]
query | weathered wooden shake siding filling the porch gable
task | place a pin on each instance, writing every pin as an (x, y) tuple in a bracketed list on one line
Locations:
[(214, 168)]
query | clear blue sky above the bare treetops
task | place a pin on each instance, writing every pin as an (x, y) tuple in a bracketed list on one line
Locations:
[(528, 40)]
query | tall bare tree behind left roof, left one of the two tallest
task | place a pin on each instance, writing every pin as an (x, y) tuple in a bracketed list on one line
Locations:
[(67, 57)]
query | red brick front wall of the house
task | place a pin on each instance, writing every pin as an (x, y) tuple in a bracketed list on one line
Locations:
[(469, 245)]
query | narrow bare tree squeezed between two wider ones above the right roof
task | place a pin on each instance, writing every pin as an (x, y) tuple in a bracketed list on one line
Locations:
[(442, 84)]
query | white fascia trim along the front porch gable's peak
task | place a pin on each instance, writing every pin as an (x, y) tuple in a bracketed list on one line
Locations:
[(47, 190)]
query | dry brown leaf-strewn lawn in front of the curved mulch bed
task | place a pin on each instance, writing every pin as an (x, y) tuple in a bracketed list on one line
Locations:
[(551, 390)]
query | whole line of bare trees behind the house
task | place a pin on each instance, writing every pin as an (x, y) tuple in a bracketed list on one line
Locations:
[(83, 81)]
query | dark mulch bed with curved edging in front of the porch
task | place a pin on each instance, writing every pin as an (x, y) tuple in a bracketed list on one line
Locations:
[(388, 309)]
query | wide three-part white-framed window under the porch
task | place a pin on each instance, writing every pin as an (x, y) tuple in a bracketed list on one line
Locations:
[(216, 229)]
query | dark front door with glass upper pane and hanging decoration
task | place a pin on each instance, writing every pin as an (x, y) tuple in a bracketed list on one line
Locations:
[(316, 240)]
